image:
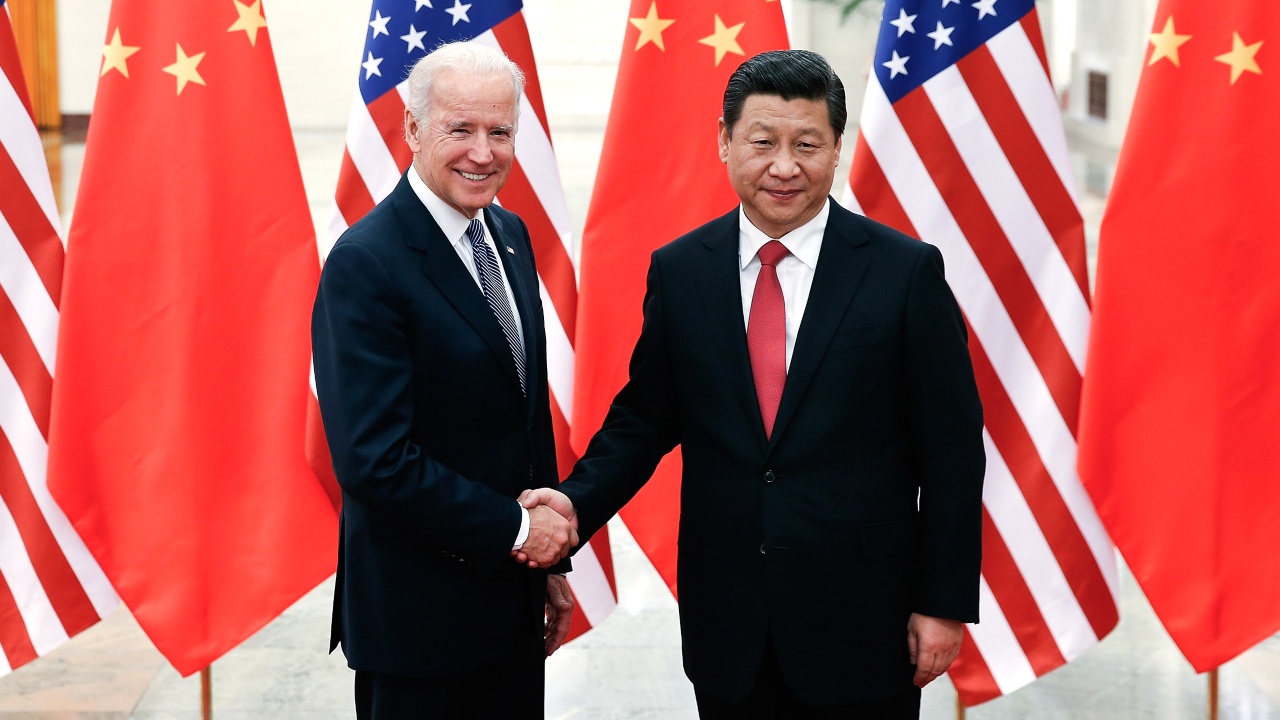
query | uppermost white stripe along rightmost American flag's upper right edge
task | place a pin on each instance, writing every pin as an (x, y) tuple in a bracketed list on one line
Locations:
[(1035, 94)]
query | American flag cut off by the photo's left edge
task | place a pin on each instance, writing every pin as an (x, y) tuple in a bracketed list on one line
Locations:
[(51, 586)]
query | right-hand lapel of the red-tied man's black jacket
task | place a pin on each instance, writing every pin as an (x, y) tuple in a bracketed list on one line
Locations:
[(842, 266)]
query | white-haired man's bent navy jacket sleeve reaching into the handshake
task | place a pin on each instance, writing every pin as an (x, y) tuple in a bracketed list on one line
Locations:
[(364, 375)]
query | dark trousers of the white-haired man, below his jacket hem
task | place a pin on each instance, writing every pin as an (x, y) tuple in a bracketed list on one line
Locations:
[(509, 690)]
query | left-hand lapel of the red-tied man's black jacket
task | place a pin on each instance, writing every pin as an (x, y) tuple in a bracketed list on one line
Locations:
[(723, 298)]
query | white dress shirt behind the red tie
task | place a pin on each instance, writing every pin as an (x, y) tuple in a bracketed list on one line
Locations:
[(796, 271)]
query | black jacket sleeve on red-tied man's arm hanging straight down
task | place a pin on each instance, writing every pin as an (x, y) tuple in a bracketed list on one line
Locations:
[(947, 426)]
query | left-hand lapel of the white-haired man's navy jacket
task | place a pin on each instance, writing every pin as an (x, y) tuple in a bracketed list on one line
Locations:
[(446, 270)]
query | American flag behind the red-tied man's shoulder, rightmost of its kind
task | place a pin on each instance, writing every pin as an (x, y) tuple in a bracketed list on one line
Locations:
[(962, 145)]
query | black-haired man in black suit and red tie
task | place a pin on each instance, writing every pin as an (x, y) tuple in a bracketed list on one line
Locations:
[(813, 367)]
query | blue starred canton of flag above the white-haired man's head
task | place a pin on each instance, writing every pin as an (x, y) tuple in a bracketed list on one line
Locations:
[(401, 31)]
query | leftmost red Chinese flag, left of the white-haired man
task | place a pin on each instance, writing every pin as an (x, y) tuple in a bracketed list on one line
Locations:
[(179, 423)]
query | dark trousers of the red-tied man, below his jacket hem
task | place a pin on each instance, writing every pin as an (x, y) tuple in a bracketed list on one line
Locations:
[(772, 700)]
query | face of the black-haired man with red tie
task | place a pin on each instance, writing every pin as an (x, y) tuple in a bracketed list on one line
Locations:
[(781, 157)]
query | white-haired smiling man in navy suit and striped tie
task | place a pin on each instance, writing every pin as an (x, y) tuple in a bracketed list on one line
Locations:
[(431, 366)]
